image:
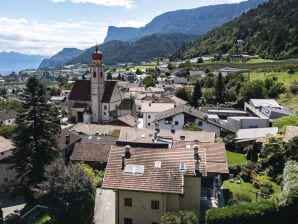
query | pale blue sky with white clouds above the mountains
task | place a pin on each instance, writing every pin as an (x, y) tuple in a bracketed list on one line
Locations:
[(45, 27)]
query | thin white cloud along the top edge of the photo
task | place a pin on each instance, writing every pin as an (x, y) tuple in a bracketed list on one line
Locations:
[(128, 4)]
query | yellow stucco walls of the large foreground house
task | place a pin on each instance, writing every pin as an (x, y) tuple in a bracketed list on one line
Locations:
[(140, 210)]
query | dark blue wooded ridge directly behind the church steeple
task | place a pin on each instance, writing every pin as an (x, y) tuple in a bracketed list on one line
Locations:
[(145, 49)]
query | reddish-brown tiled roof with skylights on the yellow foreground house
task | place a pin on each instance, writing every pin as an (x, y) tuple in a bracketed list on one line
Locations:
[(167, 179)]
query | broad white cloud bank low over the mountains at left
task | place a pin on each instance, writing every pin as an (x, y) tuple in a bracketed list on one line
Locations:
[(32, 37)]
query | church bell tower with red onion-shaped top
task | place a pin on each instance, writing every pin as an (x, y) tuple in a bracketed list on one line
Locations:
[(97, 85)]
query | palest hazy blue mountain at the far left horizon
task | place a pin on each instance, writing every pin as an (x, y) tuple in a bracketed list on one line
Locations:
[(13, 61)]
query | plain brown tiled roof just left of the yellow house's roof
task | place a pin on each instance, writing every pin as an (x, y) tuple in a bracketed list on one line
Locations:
[(91, 152)]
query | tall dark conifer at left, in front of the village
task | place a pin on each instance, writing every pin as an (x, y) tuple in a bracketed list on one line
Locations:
[(35, 137)]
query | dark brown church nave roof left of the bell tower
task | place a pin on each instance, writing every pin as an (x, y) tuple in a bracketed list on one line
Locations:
[(81, 91)]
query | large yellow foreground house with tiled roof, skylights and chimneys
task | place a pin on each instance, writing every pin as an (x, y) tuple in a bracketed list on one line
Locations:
[(151, 181)]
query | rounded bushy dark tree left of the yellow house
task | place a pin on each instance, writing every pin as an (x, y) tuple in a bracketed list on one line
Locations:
[(69, 191)]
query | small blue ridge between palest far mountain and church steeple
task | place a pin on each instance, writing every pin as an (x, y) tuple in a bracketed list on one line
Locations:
[(60, 58)]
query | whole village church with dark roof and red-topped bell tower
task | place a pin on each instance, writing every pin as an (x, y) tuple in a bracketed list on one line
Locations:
[(95, 100)]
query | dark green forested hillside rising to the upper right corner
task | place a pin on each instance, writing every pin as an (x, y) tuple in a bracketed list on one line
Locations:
[(271, 31)]
